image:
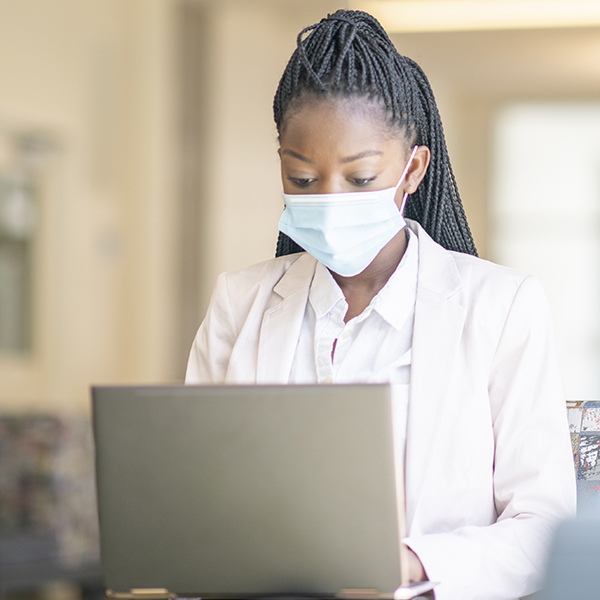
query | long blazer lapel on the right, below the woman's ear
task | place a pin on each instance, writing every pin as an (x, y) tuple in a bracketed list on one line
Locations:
[(439, 321)]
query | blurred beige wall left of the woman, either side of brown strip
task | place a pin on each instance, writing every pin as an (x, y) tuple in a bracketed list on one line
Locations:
[(101, 79)]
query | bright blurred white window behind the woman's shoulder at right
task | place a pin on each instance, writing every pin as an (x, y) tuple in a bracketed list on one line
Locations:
[(545, 220)]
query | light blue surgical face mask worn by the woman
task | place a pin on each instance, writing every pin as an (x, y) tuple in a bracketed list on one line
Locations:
[(344, 231)]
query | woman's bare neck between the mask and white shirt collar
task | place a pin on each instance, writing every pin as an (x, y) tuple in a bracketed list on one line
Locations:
[(362, 288)]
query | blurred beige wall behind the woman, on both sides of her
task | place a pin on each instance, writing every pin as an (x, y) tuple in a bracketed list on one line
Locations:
[(126, 194)]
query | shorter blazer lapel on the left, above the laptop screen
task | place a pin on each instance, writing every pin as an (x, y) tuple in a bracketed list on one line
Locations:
[(280, 328)]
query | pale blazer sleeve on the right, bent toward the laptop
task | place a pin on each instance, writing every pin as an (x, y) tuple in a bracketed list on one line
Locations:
[(533, 477)]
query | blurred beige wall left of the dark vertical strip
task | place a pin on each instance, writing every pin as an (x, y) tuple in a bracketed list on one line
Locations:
[(95, 77)]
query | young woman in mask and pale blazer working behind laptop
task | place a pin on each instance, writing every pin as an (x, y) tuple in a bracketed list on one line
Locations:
[(358, 294)]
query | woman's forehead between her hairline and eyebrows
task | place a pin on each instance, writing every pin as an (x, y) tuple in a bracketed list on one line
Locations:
[(342, 126)]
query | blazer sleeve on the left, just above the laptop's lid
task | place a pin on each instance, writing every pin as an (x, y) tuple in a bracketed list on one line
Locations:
[(211, 350)]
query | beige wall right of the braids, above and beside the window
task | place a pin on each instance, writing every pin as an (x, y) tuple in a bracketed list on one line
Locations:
[(474, 73)]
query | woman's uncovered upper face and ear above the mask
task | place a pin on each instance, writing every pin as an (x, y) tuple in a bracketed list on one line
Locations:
[(335, 146)]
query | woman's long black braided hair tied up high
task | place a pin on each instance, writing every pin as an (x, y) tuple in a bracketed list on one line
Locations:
[(350, 54)]
